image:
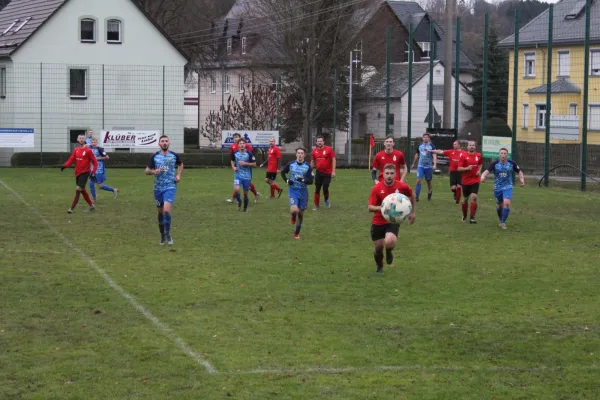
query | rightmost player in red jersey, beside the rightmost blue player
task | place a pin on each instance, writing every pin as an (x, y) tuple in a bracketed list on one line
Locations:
[(470, 165)]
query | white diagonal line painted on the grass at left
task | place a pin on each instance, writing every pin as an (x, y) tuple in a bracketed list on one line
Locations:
[(164, 328)]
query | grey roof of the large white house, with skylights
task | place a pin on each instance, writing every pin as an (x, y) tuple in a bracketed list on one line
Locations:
[(35, 13)]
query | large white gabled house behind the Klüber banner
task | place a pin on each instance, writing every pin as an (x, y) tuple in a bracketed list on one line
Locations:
[(70, 65)]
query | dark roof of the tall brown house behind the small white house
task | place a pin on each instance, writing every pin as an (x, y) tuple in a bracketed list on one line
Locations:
[(411, 12)]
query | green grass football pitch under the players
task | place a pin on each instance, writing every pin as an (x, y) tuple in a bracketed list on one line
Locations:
[(93, 308)]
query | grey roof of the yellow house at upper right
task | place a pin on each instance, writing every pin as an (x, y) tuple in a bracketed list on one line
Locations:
[(565, 30)]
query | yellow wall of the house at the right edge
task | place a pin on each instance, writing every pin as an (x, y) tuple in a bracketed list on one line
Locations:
[(560, 102)]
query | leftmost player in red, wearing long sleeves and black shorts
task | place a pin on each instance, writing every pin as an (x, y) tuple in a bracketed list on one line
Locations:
[(83, 156)]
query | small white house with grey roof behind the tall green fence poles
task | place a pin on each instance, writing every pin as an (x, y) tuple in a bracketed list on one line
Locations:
[(370, 104)]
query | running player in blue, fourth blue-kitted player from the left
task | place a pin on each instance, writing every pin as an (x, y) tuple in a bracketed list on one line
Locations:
[(300, 176)]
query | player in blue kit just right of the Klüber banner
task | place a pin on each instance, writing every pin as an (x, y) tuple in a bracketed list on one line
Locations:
[(166, 168)]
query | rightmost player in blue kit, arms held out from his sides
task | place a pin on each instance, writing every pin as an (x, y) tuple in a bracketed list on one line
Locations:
[(503, 183)]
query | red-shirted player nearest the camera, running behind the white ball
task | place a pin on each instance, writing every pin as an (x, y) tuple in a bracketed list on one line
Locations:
[(383, 233)]
